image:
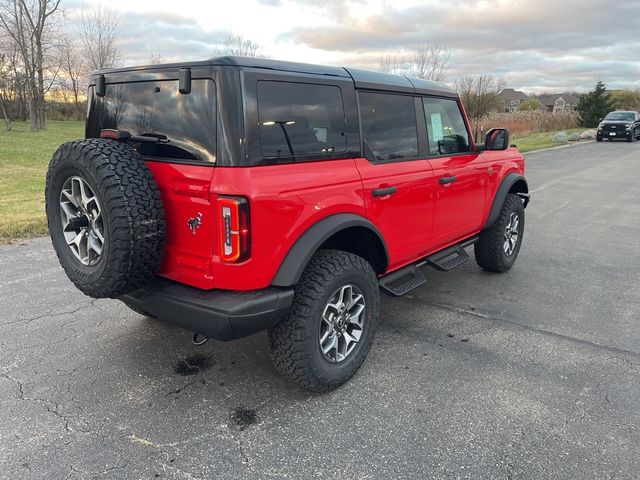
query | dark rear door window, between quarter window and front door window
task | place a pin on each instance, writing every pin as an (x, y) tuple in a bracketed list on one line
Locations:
[(389, 125)]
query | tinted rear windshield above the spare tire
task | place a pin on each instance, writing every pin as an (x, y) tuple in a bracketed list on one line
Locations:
[(184, 124)]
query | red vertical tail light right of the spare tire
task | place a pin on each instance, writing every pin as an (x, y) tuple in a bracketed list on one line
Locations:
[(235, 244)]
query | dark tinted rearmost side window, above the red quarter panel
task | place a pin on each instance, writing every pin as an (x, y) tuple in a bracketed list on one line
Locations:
[(300, 119)]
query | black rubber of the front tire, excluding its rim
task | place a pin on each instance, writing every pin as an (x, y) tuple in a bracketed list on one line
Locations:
[(488, 249)]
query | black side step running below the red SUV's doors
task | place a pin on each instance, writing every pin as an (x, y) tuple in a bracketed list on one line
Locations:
[(410, 277)]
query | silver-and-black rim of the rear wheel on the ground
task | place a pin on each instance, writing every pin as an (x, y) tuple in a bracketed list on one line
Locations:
[(342, 323)]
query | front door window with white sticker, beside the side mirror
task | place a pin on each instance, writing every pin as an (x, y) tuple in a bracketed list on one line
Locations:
[(446, 130)]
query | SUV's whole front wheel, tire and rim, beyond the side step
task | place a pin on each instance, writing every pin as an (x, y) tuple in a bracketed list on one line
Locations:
[(498, 246)]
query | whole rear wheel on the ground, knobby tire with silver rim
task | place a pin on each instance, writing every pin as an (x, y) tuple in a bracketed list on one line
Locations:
[(331, 325)]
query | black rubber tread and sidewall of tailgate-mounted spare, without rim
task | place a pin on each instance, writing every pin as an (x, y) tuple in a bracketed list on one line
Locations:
[(131, 199)]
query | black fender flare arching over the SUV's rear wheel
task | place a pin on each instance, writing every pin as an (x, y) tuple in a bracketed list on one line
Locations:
[(312, 239)]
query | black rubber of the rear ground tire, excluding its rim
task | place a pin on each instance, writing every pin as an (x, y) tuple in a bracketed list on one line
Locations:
[(287, 338)]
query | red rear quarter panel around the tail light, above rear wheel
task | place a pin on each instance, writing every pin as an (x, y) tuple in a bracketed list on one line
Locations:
[(285, 200)]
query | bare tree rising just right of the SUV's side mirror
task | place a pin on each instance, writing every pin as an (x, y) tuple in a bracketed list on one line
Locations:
[(479, 94)]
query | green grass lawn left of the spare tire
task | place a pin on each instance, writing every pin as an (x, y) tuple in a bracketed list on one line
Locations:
[(24, 158)]
